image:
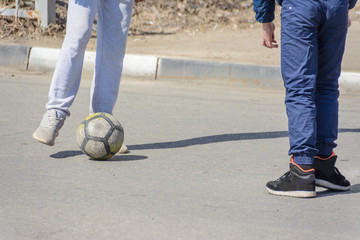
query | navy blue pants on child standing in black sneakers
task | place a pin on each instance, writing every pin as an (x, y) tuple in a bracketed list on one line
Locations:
[(313, 36)]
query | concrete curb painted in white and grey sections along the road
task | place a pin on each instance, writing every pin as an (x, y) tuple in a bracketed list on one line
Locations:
[(163, 68)]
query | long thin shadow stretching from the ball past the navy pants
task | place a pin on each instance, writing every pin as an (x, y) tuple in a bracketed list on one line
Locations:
[(219, 138)]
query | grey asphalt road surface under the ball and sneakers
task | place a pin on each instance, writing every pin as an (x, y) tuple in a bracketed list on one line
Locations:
[(200, 155)]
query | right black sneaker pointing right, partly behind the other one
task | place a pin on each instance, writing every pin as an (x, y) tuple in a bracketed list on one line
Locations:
[(328, 176)]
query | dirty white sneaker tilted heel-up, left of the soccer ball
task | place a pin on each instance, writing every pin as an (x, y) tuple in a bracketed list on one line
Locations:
[(49, 128)]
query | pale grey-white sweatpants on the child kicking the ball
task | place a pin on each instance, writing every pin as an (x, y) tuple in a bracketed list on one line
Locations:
[(113, 23)]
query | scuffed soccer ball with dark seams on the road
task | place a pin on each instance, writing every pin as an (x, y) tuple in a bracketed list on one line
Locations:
[(100, 136)]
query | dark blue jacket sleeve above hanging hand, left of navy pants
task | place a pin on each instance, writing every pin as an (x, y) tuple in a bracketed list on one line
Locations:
[(264, 10)]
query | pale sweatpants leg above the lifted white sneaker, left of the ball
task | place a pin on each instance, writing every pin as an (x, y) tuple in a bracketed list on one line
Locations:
[(67, 74)]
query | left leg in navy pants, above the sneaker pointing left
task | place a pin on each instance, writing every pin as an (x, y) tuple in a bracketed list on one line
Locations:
[(299, 64)]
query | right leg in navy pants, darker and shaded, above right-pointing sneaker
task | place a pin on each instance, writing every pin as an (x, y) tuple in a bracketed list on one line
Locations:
[(332, 34)]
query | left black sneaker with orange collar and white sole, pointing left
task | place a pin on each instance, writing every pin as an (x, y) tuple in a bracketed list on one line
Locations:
[(295, 183)]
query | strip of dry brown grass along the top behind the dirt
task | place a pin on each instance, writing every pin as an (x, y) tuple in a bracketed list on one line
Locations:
[(149, 17)]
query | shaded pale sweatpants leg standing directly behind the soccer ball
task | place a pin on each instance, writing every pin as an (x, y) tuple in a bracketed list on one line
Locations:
[(114, 18)]
